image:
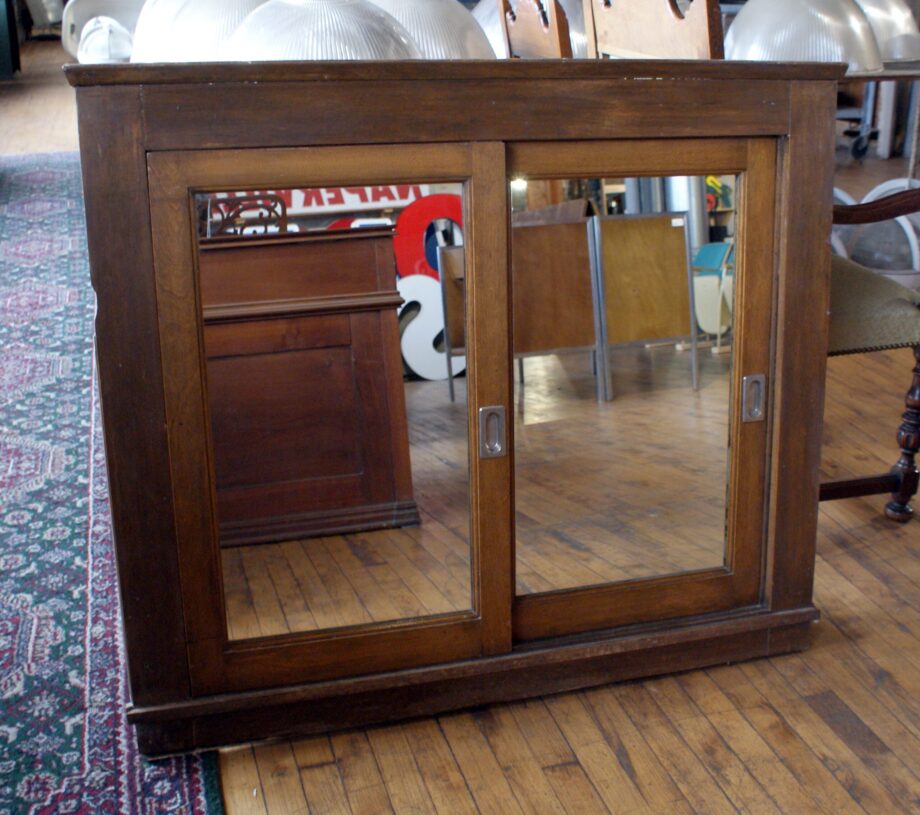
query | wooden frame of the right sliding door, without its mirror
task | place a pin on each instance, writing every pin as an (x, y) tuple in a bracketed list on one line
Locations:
[(739, 583)]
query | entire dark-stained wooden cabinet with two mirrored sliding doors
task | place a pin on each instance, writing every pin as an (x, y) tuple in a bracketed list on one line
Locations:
[(471, 600)]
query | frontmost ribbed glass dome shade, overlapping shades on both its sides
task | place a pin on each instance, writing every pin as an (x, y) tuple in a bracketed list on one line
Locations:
[(319, 30)]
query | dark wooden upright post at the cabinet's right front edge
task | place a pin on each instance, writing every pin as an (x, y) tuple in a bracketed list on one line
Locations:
[(801, 354)]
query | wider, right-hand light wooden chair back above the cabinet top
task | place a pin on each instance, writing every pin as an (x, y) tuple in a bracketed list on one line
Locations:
[(663, 29)]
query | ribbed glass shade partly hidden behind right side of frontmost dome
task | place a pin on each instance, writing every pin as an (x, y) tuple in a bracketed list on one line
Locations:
[(442, 29)]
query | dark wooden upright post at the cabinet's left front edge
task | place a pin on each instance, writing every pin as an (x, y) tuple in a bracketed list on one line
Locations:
[(127, 346)]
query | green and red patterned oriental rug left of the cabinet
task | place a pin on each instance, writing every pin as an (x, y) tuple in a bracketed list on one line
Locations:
[(65, 746)]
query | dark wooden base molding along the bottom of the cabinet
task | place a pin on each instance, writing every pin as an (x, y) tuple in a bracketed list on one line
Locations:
[(537, 669)]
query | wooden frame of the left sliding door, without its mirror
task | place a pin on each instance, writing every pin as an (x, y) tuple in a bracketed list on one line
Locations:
[(216, 663)]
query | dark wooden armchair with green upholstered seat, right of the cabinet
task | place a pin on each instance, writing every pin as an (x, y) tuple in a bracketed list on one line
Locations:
[(870, 312)]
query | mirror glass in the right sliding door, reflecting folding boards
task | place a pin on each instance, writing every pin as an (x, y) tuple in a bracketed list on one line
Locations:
[(621, 463)]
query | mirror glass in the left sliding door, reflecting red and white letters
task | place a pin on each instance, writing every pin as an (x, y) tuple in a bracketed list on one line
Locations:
[(340, 448)]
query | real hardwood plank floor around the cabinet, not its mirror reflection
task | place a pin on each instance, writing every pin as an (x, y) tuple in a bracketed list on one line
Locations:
[(835, 730)]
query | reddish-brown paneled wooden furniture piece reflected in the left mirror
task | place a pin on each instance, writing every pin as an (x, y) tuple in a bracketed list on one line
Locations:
[(301, 332)]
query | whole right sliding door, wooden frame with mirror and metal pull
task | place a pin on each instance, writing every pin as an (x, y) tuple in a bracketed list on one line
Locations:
[(642, 284)]
